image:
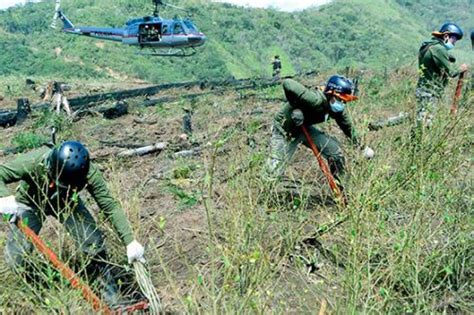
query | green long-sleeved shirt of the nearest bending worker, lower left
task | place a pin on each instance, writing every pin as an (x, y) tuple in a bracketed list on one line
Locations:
[(35, 189)]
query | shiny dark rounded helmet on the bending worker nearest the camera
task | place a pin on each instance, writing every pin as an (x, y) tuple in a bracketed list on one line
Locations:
[(69, 165)]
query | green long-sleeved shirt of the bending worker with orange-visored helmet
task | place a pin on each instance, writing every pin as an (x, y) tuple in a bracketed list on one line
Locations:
[(315, 108)]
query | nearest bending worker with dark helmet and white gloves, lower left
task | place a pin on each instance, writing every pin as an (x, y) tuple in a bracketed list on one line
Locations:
[(50, 179)]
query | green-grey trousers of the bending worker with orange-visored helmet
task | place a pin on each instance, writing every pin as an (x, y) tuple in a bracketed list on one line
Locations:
[(283, 149)]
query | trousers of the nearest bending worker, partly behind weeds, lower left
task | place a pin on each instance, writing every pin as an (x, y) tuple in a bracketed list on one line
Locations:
[(79, 224)]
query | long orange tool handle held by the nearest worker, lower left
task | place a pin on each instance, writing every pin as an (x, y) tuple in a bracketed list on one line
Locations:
[(65, 271)]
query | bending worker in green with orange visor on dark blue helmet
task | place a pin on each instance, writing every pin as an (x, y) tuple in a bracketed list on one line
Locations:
[(308, 107)]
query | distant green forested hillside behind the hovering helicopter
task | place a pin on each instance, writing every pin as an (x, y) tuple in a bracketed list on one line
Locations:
[(362, 33)]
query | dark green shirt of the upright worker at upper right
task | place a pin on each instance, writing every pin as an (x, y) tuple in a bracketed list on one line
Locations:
[(434, 66)]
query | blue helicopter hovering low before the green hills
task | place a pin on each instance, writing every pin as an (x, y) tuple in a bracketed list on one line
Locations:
[(163, 37)]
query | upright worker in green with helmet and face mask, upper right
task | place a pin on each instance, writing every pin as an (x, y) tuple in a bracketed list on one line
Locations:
[(435, 67)]
